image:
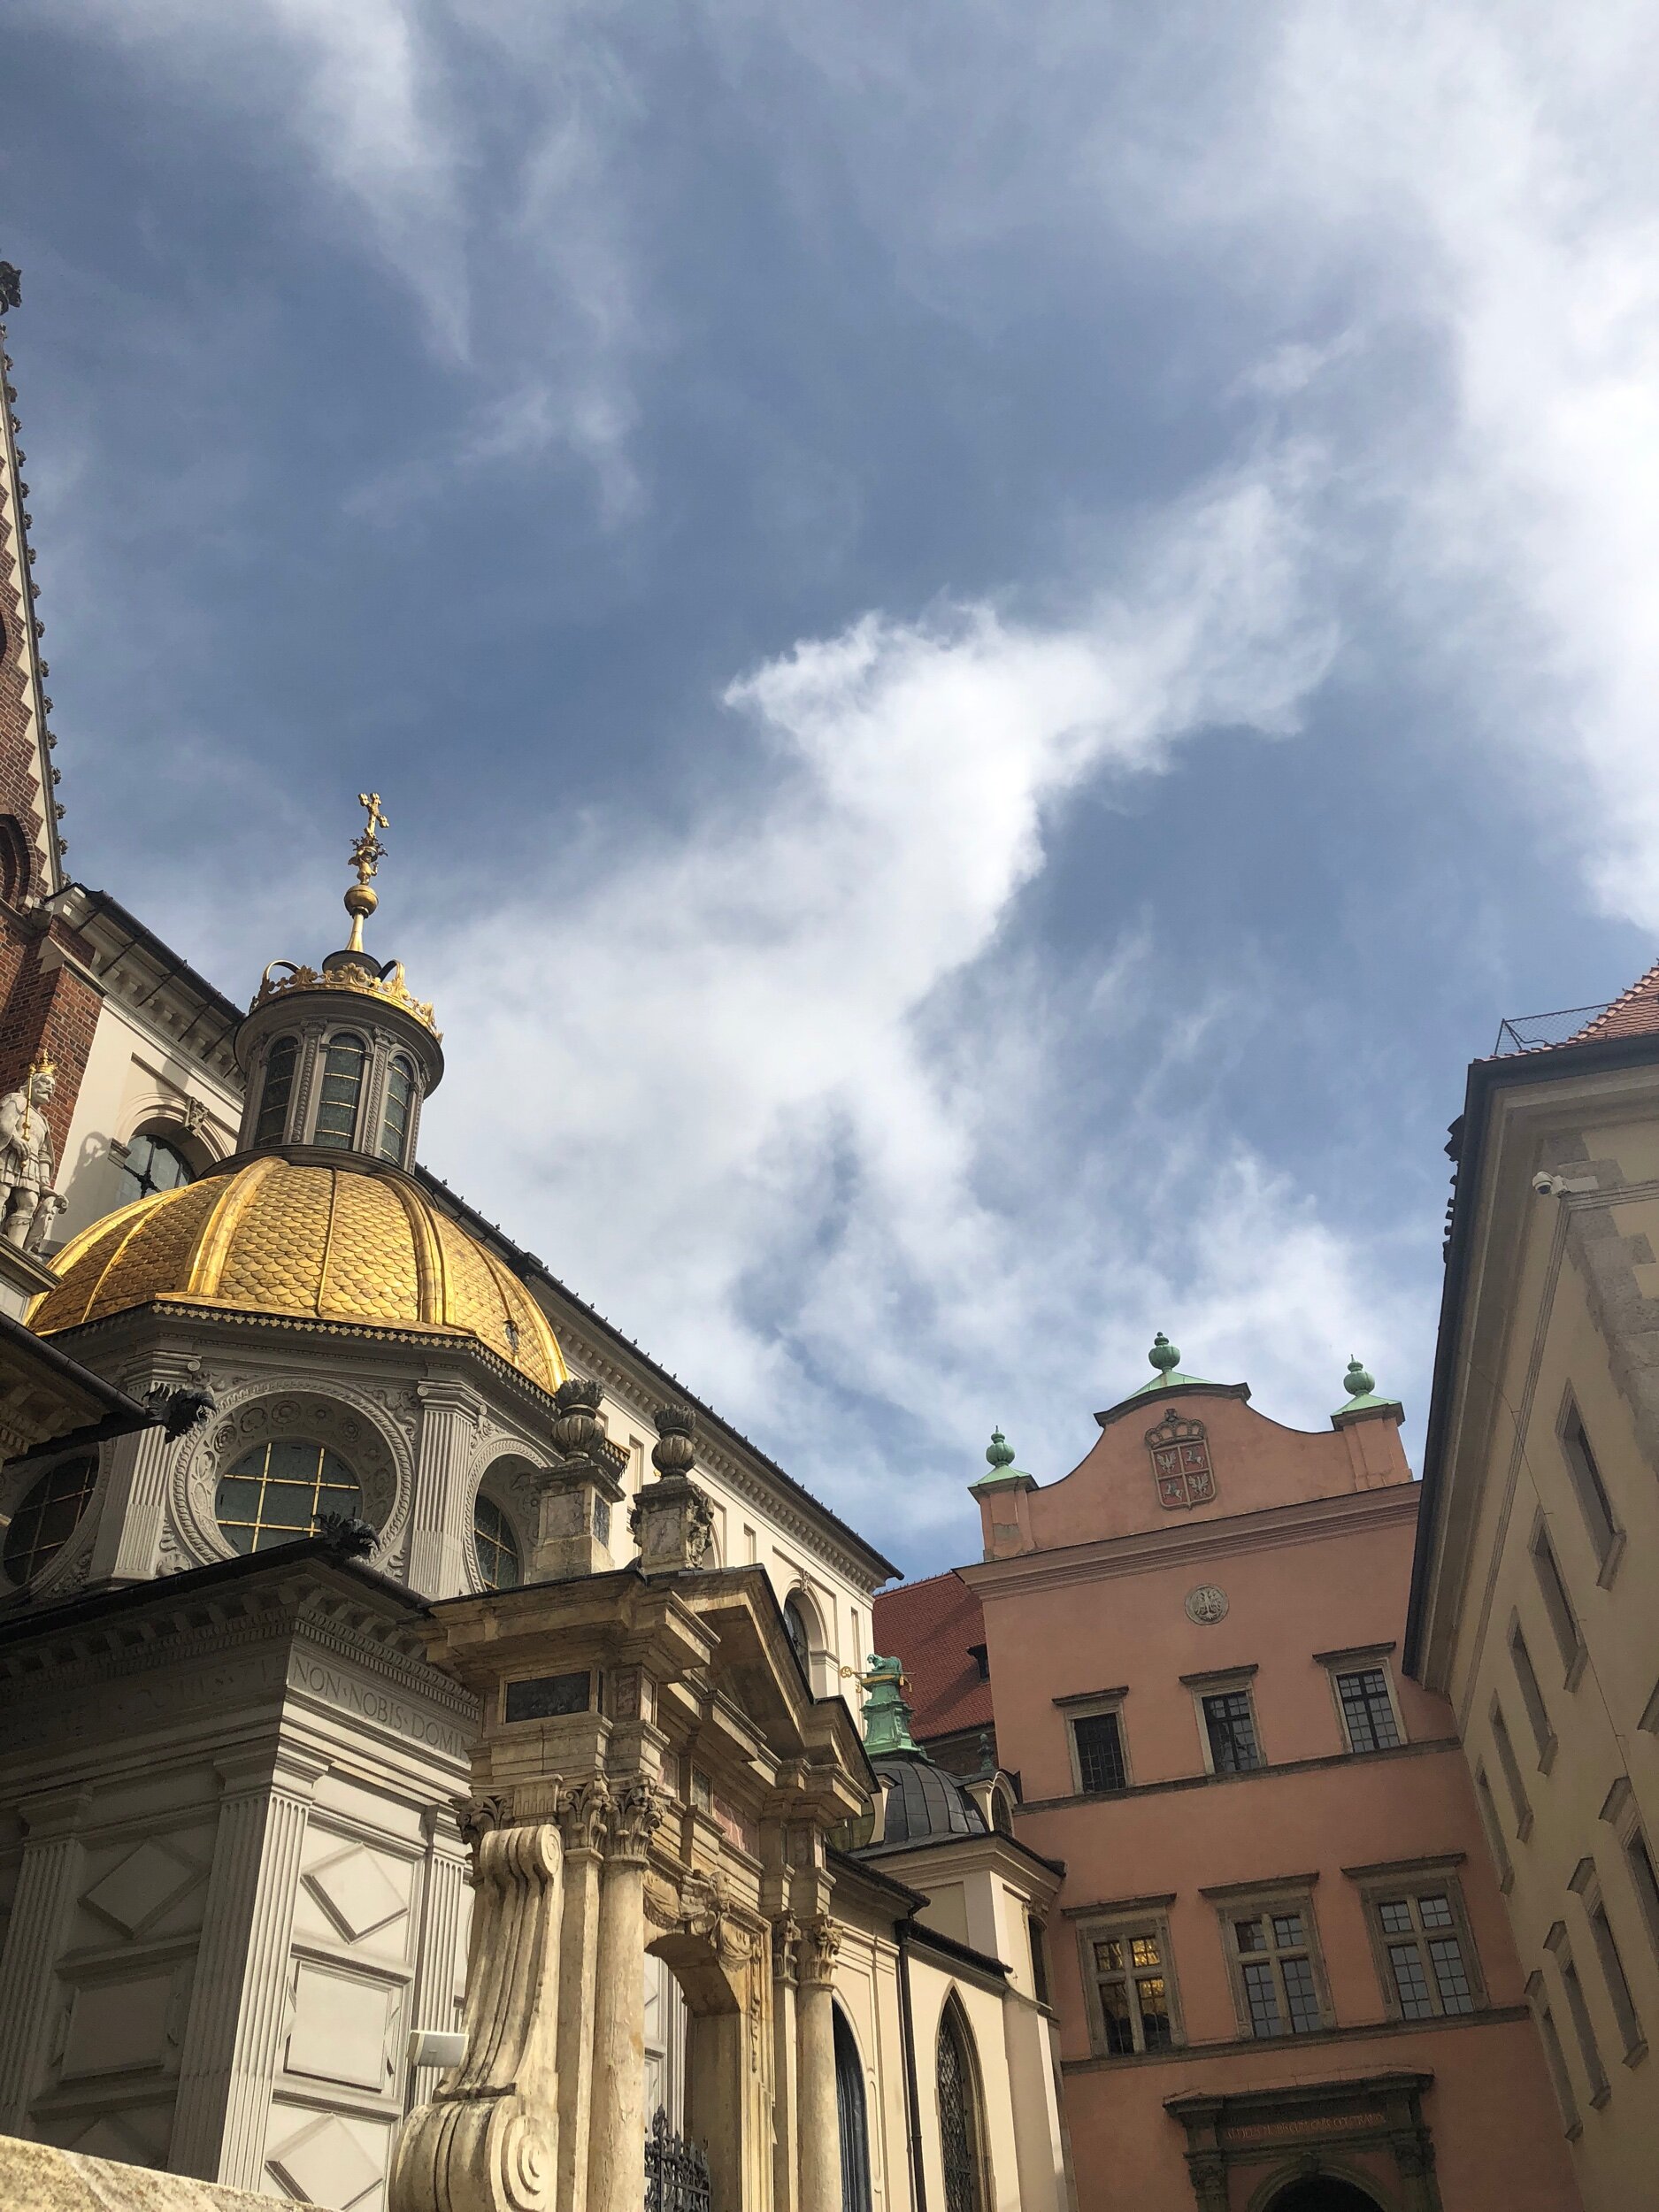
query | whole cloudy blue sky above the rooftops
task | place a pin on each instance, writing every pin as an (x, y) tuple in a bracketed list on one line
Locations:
[(994, 636)]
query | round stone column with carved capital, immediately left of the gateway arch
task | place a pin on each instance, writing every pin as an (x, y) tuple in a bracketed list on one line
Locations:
[(618, 2140)]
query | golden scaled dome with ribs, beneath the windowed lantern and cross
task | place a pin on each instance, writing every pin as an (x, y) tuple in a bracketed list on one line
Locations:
[(351, 1242)]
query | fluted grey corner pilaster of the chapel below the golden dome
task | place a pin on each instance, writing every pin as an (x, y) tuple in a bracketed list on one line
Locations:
[(240, 1987)]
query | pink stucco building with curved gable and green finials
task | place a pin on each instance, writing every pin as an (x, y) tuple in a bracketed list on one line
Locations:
[(1280, 1959)]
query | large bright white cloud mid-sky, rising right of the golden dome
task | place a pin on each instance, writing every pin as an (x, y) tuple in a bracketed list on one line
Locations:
[(740, 1114)]
